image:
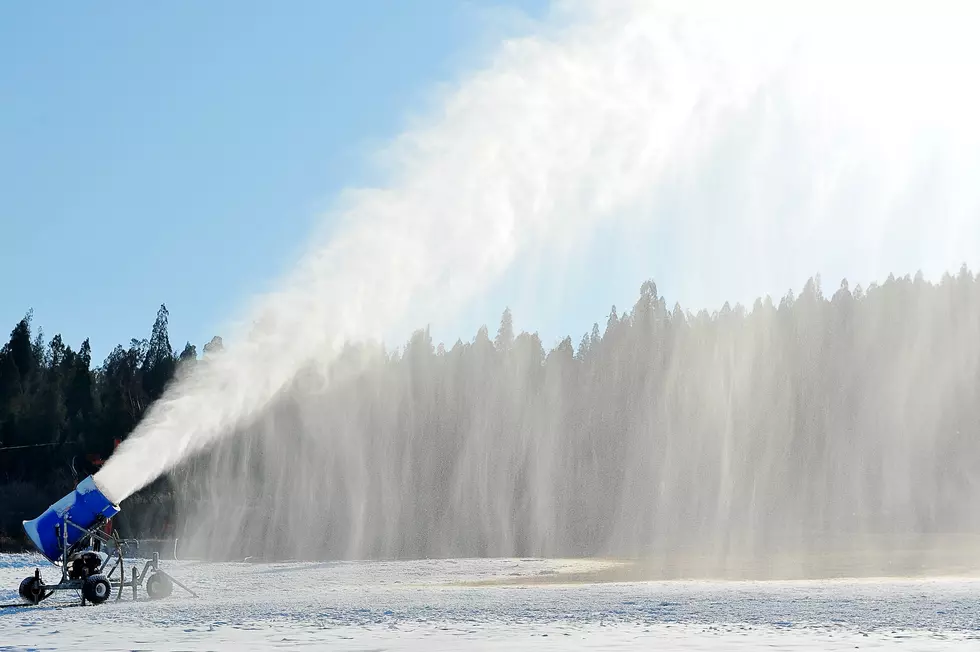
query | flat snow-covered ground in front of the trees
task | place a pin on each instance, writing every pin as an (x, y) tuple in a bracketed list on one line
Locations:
[(432, 605)]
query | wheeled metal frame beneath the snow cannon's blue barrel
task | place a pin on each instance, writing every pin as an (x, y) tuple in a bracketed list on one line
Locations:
[(97, 587)]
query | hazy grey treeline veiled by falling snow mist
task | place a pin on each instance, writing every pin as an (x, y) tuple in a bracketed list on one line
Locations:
[(817, 421)]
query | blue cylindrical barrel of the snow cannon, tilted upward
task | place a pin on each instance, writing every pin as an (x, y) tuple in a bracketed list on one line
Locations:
[(81, 508)]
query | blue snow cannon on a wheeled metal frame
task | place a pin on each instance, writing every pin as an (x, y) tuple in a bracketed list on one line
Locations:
[(72, 535)]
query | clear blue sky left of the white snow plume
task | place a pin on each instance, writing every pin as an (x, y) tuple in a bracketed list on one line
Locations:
[(179, 152)]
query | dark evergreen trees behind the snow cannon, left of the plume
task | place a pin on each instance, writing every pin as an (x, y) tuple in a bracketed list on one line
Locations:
[(61, 417)]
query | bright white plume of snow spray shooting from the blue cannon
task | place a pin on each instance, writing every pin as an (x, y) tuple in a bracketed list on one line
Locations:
[(754, 138)]
